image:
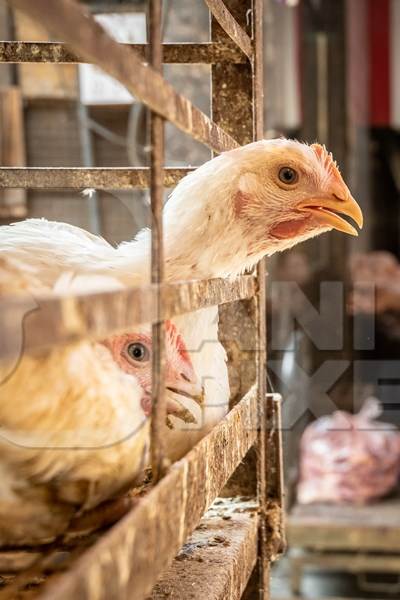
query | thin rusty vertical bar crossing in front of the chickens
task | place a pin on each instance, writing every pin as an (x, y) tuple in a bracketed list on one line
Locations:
[(157, 257)]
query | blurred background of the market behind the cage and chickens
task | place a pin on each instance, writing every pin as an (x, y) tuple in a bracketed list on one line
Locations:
[(332, 75)]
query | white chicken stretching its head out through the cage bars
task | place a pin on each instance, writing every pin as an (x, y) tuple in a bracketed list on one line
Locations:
[(219, 221)]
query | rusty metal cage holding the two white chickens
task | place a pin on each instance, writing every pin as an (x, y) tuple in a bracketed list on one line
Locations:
[(129, 559)]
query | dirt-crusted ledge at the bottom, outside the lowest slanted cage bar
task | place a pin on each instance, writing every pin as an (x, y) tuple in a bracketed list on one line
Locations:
[(223, 550)]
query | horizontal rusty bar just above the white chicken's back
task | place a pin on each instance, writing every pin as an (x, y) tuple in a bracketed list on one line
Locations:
[(79, 178)]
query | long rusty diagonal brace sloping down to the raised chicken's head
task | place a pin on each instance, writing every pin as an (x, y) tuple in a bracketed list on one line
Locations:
[(73, 24)]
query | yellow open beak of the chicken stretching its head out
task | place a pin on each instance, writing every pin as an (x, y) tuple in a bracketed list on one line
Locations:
[(326, 210)]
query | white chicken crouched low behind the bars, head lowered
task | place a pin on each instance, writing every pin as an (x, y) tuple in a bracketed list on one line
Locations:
[(74, 420)]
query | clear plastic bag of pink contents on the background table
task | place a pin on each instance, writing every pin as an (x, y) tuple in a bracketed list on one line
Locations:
[(347, 458)]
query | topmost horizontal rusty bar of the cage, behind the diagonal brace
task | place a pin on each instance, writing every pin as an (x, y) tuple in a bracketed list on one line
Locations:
[(185, 53)]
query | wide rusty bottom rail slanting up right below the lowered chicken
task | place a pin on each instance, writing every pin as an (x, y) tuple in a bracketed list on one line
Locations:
[(128, 560)]
